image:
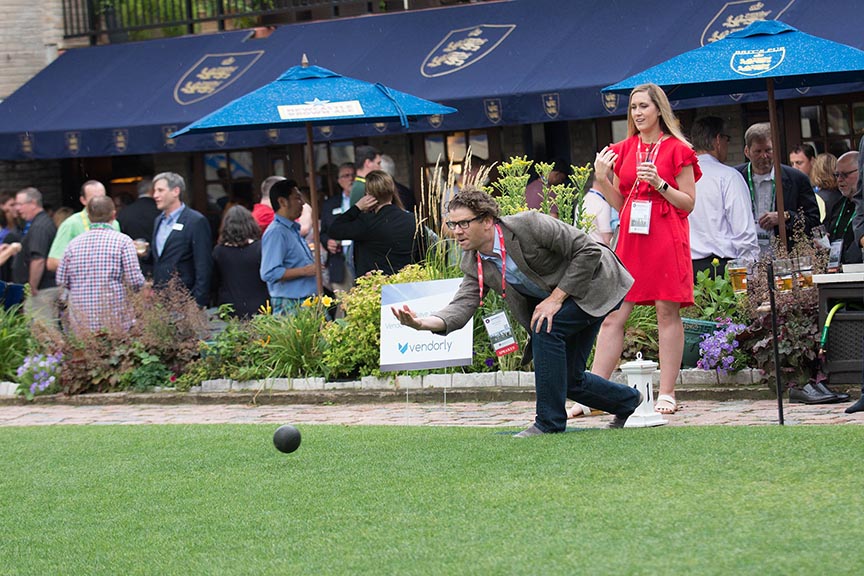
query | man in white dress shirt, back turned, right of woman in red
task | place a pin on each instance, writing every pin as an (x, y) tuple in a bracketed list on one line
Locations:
[(721, 224)]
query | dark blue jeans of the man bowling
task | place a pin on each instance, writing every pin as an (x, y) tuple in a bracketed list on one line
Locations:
[(559, 370)]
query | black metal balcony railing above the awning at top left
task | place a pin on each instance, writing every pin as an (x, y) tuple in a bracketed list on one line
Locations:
[(121, 20)]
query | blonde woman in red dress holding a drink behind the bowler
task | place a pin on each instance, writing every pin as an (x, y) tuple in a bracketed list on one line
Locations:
[(654, 189)]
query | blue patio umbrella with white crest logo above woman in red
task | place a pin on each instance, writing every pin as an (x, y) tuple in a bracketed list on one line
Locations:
[(766, 54)]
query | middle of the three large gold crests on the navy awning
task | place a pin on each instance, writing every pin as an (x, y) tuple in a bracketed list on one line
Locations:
[(461, 48)]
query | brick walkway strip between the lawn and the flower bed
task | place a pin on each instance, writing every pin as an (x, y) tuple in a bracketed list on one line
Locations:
[(509, 414)]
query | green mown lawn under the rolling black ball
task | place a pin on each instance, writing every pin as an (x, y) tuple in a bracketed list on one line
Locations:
[(391, 500)]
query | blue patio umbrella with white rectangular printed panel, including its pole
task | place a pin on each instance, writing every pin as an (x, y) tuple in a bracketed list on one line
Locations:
[(310, 95)]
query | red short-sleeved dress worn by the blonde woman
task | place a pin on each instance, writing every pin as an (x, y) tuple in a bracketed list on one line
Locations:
[(659, 261)]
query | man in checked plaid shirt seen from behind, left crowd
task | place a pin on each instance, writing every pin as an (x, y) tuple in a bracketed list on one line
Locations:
[(97, 269)]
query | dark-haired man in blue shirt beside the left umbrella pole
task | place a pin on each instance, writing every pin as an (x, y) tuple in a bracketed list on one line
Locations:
[(287, 264)]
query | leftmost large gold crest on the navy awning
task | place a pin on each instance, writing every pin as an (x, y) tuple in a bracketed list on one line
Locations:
[(211, 74)]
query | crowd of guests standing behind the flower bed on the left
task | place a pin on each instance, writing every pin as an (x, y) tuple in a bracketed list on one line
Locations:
[(262, 252)]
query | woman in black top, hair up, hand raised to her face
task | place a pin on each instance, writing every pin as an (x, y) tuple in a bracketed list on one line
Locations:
[(386, 237)]
